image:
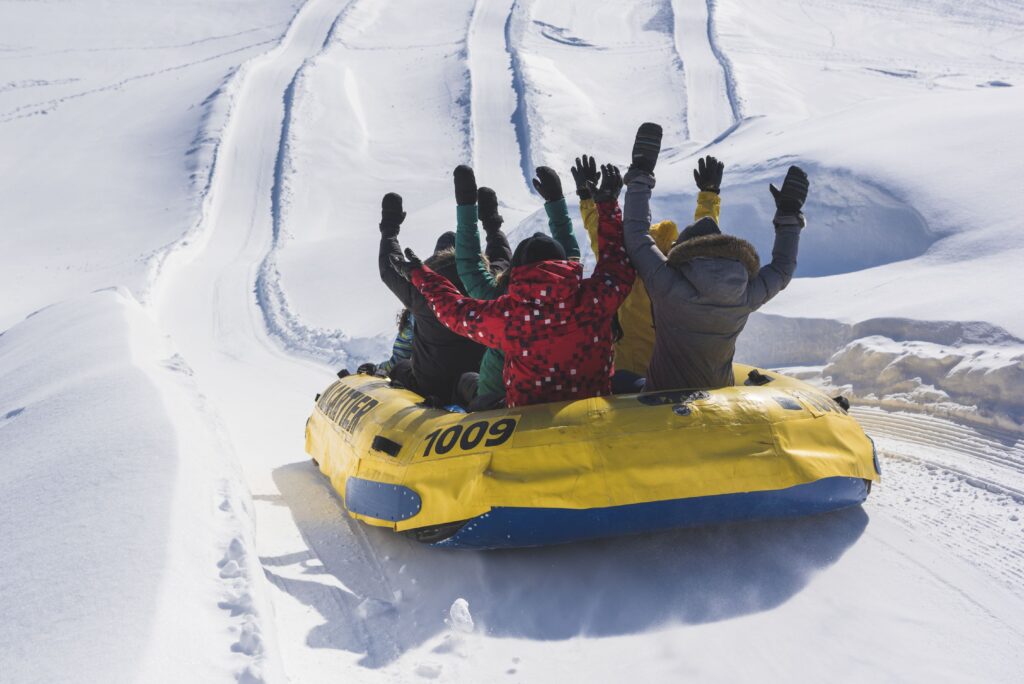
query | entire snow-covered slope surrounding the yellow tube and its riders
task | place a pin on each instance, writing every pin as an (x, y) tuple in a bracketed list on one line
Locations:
[(162, 523)]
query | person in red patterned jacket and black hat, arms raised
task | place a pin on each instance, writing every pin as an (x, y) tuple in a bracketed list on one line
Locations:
[(554, 326)]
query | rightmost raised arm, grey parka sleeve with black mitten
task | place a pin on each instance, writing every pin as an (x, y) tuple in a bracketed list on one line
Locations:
[(789, 223)]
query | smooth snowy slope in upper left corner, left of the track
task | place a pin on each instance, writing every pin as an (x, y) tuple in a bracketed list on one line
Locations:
[(109, 115)]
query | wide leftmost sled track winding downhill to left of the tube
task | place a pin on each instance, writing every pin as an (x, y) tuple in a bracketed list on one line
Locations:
[(203, 289)]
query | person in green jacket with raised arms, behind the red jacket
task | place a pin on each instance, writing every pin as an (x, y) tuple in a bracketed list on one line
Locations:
[(486, 281)]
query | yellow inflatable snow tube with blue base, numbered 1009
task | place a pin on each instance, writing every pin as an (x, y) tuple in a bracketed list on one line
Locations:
[(773, 447)]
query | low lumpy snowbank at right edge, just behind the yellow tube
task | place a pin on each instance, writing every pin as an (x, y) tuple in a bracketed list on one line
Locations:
[(971, 370)]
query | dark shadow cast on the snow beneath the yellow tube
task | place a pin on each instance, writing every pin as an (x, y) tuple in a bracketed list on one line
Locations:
[(395, 594)]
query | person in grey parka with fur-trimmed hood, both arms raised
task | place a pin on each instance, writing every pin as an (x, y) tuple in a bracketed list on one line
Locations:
[(703, 292)]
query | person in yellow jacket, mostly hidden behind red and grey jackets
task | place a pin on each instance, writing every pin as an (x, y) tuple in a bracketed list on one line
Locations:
[(633, 351)]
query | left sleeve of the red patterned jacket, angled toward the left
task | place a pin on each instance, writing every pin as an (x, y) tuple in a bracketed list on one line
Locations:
[(479, 320)]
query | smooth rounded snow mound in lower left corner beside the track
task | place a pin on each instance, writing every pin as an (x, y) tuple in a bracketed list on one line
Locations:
[(126, 544)]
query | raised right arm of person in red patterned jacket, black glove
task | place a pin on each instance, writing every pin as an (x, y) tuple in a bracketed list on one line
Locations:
[(614, 276)]
